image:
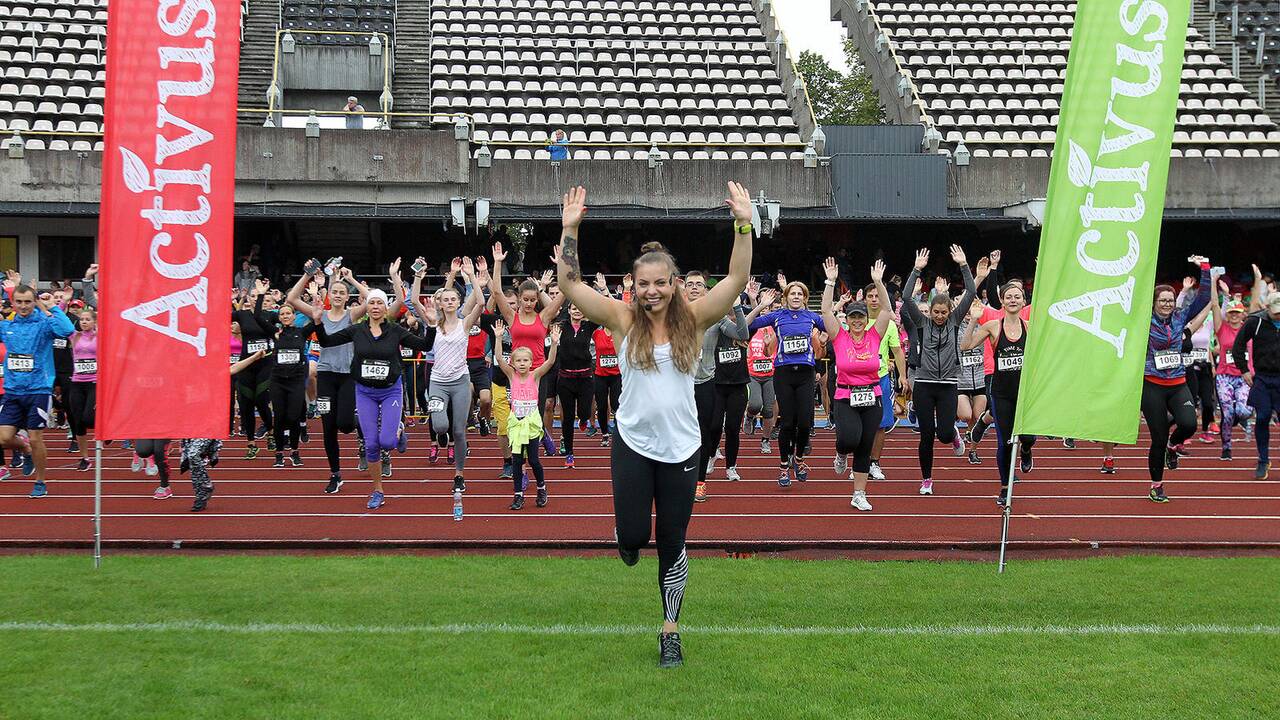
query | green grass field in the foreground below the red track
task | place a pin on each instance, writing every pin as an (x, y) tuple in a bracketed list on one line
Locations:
[(246, 637)]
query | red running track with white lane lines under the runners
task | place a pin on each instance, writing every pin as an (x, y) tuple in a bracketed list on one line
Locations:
[(1064, 503)]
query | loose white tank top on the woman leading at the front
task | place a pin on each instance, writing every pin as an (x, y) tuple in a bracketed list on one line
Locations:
[(657, 416)]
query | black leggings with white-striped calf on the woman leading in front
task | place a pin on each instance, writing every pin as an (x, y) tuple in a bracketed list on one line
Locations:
[(642, 486)]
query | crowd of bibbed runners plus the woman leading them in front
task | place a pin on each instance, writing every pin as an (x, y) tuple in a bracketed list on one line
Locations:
[(673, 371)]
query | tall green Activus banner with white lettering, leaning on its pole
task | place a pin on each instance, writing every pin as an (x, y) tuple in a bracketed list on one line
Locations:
[(1087, 343)]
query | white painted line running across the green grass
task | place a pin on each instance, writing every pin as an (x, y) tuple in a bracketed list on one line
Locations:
[(560, 630)]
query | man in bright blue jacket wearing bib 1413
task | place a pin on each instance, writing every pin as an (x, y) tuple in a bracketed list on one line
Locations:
[(29, 339)]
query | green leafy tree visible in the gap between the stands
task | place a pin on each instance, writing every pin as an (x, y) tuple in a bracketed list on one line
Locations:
[(842, 99)]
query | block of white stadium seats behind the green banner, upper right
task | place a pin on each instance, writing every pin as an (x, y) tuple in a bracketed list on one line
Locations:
[(991, 75)]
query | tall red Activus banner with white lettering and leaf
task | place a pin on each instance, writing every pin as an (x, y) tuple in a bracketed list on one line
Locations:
[(167, 218)]
